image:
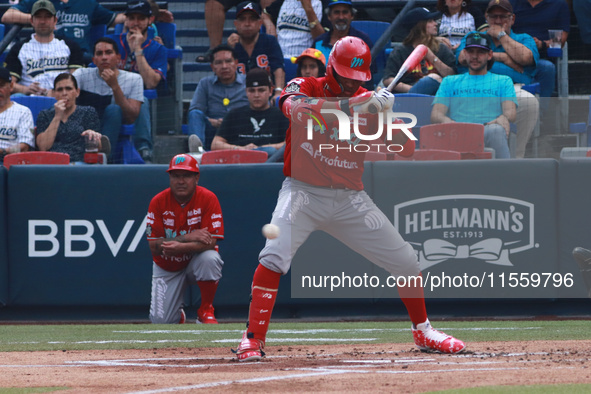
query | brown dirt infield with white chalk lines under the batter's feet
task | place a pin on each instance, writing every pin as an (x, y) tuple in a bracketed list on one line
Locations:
[(327, 368)]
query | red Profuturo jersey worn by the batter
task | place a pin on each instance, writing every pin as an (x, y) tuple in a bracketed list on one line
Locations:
[(320, 167)]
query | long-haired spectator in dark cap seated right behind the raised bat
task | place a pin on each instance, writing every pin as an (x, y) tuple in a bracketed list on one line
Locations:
[(439, 61)]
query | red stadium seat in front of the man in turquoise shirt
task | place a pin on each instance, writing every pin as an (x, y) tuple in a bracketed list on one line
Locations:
[(466, 138)]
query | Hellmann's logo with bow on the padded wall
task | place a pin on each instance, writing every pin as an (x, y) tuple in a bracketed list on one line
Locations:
[(466, 226)]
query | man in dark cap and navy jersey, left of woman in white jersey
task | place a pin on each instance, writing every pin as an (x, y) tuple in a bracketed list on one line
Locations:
[(254, 49)]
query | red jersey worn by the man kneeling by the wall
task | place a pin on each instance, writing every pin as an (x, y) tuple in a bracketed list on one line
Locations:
[(168, 219)]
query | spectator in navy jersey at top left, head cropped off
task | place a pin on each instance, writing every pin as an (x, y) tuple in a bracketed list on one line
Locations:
[(75, 18)]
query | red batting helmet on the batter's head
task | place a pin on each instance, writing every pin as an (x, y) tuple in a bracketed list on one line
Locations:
[(350, 58)]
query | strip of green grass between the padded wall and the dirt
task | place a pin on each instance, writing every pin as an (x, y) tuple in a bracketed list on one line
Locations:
[(148, 336)]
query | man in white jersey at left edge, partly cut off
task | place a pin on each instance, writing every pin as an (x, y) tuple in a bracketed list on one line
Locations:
[(16, 130)]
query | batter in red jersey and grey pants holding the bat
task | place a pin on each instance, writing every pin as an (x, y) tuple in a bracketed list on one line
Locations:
[(323, 191)]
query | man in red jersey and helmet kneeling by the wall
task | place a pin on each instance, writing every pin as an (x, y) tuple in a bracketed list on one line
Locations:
[(183, 227)]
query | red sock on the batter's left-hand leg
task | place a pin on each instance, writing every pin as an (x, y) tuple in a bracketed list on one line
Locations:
[(264, 293)]
